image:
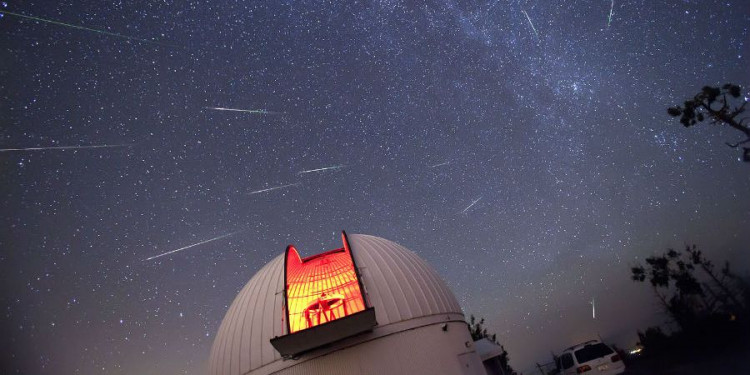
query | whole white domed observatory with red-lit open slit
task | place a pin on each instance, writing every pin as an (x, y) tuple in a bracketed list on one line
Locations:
[(369, 307)]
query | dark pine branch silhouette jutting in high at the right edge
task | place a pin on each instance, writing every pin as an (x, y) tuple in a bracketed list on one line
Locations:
[(703, 106)]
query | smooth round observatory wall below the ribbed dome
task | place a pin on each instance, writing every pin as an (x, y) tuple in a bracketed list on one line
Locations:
[(423, 350)]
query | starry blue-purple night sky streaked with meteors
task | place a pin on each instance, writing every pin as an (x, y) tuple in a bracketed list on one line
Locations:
[(522, 148)]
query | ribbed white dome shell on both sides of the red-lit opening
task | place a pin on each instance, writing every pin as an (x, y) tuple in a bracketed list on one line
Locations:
[(399, 285)]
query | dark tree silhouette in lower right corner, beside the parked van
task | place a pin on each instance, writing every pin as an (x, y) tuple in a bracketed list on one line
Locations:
[(710, 306)]
